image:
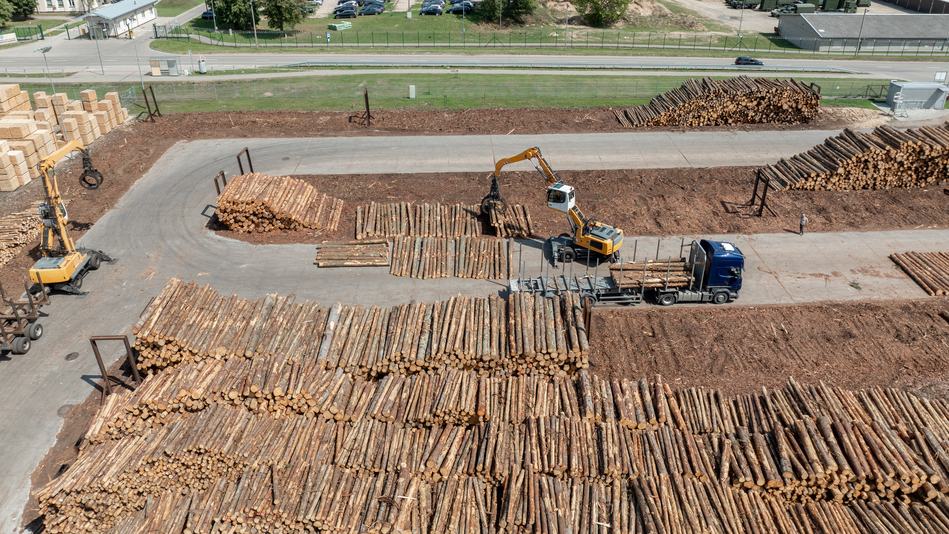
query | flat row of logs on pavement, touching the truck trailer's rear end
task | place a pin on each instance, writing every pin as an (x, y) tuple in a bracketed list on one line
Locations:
[(459, 257)]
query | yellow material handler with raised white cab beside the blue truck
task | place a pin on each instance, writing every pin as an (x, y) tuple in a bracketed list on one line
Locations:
[(589, 238)]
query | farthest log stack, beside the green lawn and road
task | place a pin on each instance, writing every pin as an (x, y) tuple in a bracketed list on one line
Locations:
[(741, 100)]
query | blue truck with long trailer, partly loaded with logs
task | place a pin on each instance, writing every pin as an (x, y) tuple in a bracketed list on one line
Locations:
[(712, 272)]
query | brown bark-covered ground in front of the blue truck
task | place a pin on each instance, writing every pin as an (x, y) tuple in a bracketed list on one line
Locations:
[(738, 349)]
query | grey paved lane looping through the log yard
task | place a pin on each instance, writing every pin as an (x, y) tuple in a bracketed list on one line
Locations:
[(157, 230)]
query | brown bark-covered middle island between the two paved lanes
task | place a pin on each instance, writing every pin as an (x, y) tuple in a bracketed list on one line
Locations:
[(641, 202)]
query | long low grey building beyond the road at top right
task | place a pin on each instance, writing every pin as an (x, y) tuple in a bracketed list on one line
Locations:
[(851, 32)]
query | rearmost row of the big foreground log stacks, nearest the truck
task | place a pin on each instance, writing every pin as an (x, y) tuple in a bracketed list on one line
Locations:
[(187, 322)]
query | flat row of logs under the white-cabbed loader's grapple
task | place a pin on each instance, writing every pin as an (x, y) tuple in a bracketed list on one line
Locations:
[(405, 219)]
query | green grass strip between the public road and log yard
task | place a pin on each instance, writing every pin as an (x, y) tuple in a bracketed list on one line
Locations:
[(434, 91)]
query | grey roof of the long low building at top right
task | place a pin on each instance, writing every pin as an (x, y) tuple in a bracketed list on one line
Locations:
[(878, 26)]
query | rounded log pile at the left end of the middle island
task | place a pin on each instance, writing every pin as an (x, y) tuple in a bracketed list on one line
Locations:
[(259, 203)]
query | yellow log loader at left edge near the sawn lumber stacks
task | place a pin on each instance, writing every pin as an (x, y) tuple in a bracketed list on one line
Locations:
[(63, 265)]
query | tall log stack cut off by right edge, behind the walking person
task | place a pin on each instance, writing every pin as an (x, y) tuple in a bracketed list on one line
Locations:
[(884, 159)]
